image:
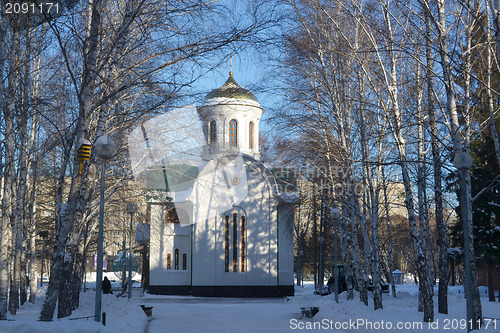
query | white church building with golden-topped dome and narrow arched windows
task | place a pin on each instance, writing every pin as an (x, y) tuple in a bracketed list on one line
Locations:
[(230, 233)]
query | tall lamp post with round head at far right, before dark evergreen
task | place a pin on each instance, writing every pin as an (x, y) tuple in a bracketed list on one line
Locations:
[(463, 161)]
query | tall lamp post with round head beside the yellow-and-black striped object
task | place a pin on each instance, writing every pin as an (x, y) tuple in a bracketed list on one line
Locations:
[(104, 149)]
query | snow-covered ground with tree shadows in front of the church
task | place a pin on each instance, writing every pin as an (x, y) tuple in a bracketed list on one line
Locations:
[(195, 314)]
